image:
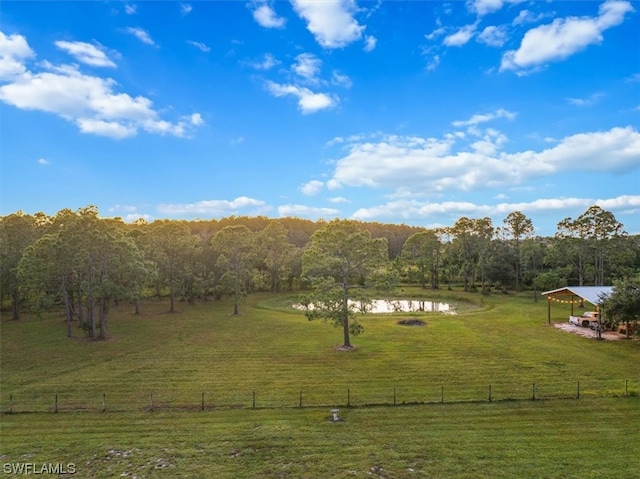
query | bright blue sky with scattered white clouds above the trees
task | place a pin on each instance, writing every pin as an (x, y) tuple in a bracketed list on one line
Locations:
[(415, 112)]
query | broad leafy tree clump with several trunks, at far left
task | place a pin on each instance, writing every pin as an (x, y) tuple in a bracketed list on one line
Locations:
[(84, 260)]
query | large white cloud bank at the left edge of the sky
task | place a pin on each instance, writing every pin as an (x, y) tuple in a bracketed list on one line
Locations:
[(92, 103)]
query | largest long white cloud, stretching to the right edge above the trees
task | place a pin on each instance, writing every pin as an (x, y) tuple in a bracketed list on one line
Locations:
[(430, 164)]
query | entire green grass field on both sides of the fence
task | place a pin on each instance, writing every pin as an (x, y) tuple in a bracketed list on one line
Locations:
[(169, 361)]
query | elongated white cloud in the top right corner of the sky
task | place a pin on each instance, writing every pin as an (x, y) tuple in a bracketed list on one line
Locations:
[(563, 37)]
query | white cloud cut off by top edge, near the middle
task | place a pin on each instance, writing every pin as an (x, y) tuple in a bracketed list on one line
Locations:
[(330, 21)]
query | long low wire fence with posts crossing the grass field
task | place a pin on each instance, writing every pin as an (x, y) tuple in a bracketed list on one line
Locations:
[(344, 397)]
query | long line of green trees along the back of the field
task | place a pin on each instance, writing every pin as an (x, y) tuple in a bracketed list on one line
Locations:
[(86, 263)]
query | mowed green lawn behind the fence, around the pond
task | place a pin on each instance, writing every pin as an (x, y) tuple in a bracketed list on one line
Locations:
[(164, 359)]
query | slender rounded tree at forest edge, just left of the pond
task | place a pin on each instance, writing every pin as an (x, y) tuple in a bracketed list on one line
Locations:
[(236, 249)]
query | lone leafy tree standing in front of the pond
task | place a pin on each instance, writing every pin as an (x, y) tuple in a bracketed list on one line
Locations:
[(339, 258)]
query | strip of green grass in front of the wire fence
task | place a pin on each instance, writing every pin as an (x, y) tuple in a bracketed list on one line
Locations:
[(590, 438)]
